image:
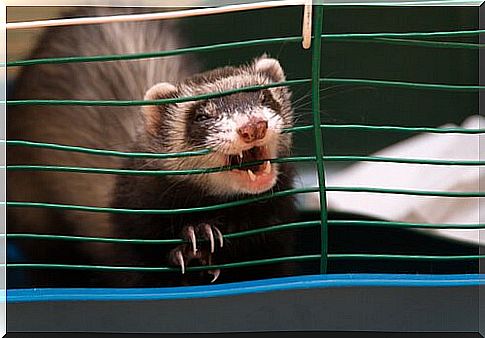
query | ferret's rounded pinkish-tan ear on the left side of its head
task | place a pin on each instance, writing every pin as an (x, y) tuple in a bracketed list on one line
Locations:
[(153, 114)]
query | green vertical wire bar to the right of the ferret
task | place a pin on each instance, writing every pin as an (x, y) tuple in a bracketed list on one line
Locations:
[(316, 58)]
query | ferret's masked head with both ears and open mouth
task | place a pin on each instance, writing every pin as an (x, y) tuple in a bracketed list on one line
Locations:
[(237, 128)]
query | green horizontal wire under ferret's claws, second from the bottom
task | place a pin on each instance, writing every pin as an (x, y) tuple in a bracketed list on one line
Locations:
[(288, 226)]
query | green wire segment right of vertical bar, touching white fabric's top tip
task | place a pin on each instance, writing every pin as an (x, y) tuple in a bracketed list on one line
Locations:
[(403, 129)]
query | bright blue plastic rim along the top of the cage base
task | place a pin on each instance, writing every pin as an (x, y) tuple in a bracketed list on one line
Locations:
[(241, 288)]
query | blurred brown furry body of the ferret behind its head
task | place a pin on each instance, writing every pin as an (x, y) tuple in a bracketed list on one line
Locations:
[(97, 127)]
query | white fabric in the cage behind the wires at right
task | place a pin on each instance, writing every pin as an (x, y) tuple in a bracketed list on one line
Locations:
[(418, 209)]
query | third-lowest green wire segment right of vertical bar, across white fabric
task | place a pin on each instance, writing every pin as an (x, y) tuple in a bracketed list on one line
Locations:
[(407, 192)]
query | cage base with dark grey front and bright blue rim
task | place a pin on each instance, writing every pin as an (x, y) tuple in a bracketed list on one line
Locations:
[(376, 302)]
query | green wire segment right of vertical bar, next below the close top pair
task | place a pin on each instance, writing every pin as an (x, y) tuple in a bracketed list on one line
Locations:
[(402, 84)]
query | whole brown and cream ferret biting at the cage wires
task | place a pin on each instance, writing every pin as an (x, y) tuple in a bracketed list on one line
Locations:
[(237, 129)]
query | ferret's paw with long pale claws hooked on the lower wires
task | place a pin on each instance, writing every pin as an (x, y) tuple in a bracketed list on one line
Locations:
[(183, 254)]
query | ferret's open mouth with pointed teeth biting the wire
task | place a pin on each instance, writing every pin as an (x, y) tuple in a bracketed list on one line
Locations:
[(252, 155)]
